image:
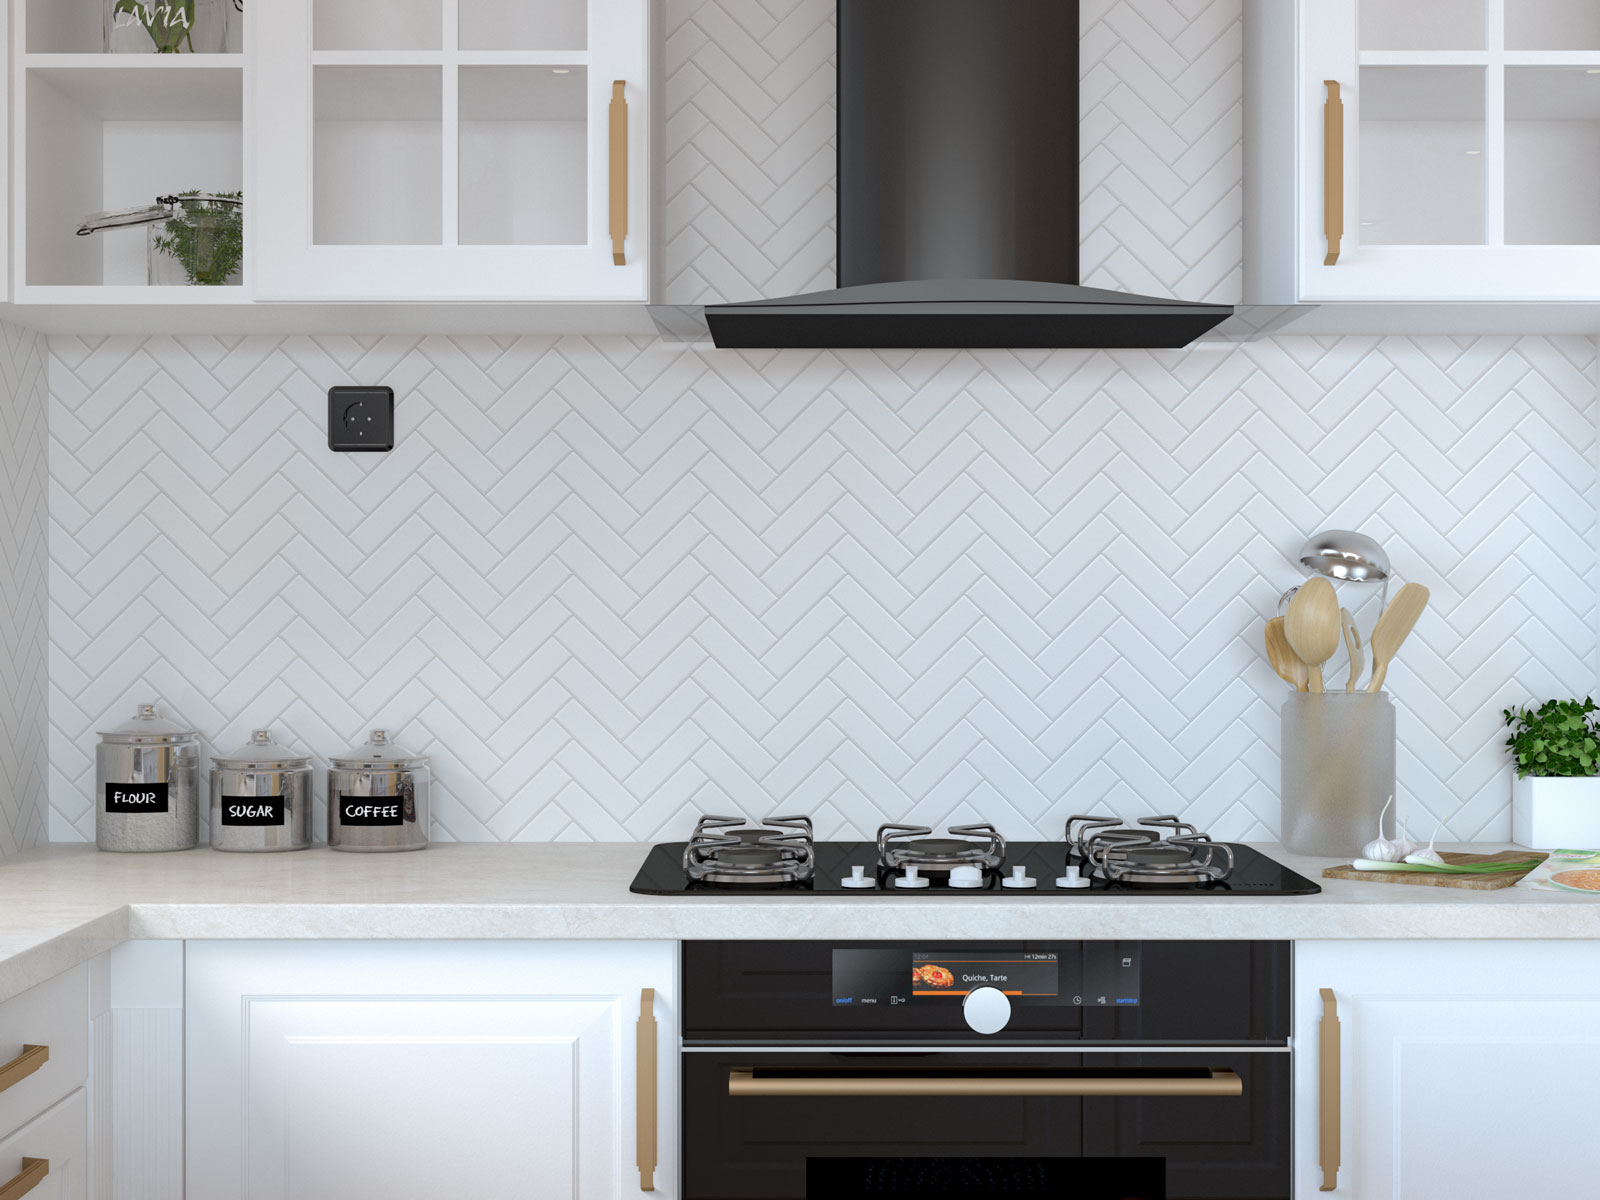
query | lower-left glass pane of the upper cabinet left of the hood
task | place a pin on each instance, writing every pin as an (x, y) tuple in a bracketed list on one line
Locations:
[(378, 158)]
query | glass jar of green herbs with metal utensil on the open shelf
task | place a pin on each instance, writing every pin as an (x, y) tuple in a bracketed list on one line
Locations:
[(193, 239)]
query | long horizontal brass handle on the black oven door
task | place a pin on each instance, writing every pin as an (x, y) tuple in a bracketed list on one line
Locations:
[(745, 1082)]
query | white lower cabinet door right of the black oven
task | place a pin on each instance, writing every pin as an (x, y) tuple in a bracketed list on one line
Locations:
[(1465, 1070)]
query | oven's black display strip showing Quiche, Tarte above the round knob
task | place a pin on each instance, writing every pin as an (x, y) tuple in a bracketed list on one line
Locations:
[(1103, 977)]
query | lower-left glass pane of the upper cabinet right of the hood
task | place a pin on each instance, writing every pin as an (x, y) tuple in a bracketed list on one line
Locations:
[(1422, 156)]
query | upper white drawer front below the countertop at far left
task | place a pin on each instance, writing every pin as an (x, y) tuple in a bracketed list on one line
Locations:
[(54, 1015)]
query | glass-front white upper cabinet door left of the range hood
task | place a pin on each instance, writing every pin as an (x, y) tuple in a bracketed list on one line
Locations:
[(452, 150)]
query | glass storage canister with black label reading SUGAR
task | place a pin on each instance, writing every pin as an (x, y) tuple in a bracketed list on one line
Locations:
[(262, 798)]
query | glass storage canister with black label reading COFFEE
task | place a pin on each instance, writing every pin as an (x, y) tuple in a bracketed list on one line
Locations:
[(378, 798)]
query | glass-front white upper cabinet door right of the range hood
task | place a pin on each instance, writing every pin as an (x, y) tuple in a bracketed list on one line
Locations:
[(1470, 159)]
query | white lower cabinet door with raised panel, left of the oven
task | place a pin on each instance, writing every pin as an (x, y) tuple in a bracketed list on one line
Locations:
[(422, 1070)]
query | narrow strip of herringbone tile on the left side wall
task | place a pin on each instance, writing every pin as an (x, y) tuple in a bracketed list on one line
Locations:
[(23, 537)]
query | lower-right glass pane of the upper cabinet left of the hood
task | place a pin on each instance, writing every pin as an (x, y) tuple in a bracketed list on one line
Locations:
[(524, 156)]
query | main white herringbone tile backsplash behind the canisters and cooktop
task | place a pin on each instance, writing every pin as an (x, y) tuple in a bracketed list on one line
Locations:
[(610, 583)]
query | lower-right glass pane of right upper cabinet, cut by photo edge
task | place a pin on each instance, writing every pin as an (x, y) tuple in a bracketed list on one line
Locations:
[(1553, 158)]
